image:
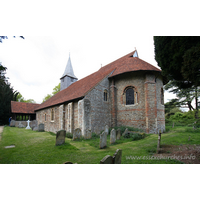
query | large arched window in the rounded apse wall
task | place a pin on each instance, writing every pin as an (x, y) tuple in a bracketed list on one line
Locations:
[(130, 96)]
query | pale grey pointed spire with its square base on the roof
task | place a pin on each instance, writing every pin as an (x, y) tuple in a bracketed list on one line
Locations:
[(68, 77)]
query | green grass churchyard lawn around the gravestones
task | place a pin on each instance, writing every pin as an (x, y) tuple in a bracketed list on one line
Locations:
[(39, 147)]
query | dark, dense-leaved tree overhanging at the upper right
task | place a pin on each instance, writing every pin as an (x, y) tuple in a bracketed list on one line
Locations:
[(179, 60)]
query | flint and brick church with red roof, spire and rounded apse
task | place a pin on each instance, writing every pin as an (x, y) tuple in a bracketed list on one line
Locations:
[(126, 92)]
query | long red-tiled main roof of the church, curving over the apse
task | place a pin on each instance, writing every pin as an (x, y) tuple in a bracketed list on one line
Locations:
[(80, 88)]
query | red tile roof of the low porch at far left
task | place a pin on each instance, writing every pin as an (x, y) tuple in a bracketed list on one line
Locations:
[(21, 107)]
